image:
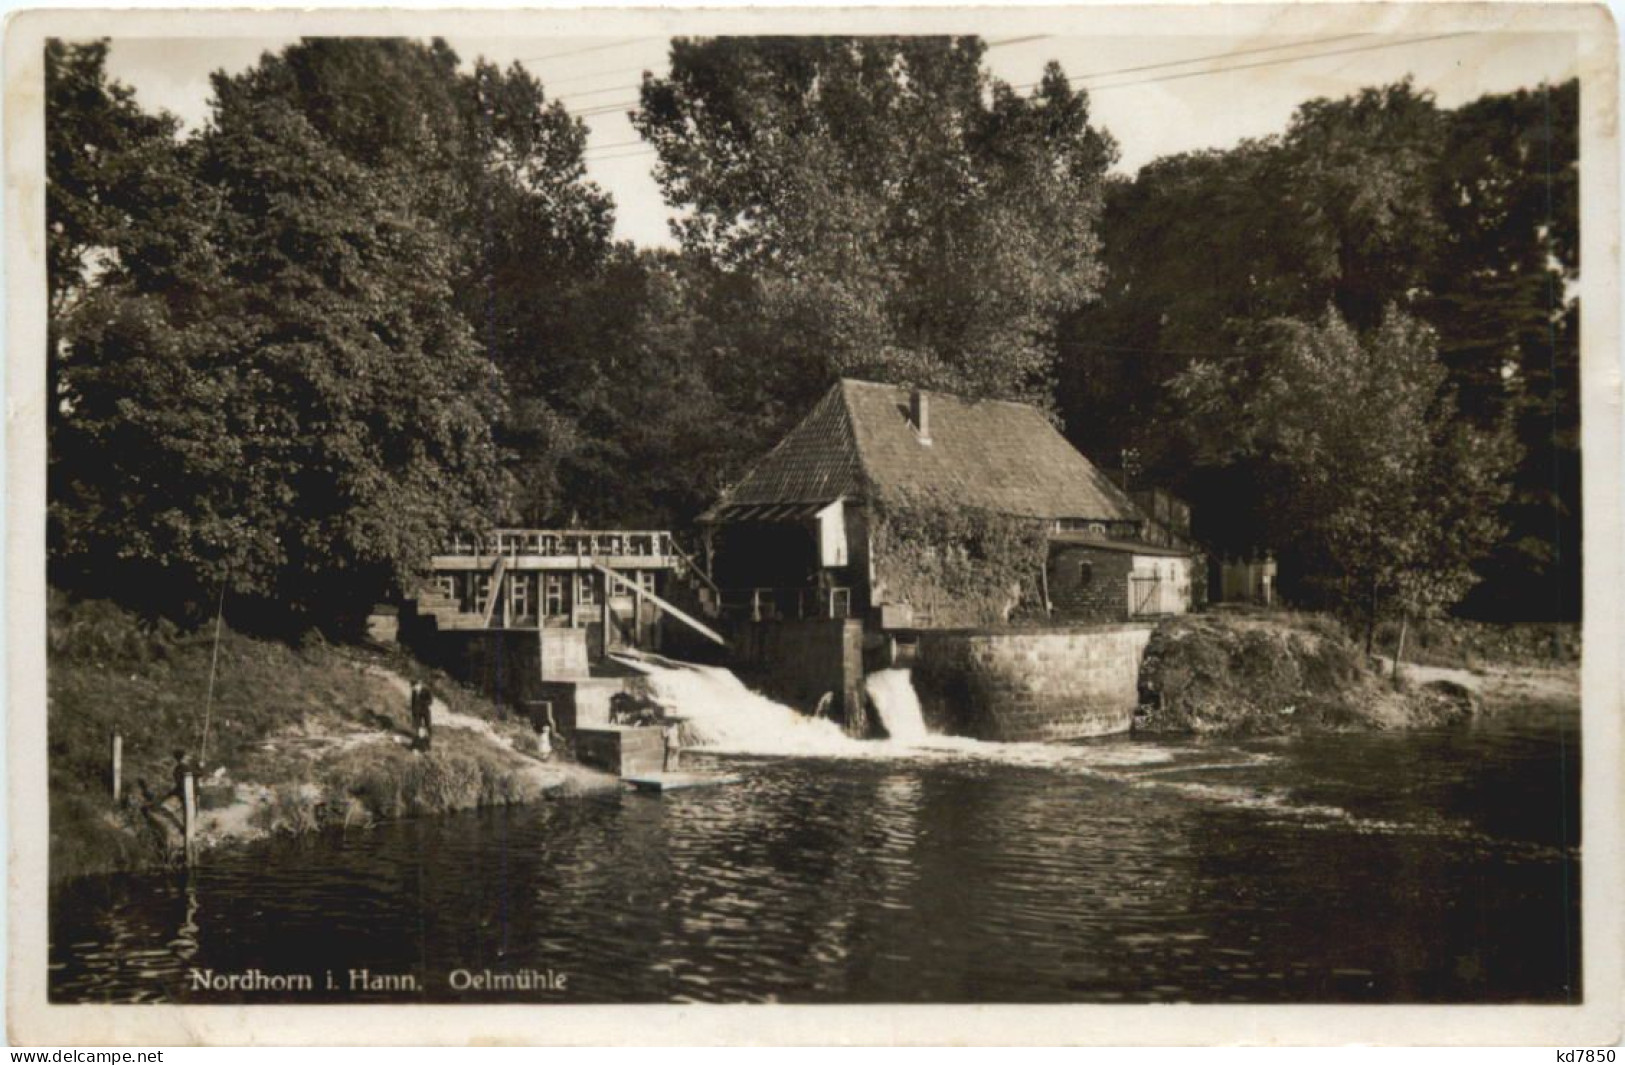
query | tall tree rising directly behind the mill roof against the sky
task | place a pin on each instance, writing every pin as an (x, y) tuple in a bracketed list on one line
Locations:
[(886, 207)]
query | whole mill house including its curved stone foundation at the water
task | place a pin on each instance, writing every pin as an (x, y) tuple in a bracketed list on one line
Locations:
[(963, 539)]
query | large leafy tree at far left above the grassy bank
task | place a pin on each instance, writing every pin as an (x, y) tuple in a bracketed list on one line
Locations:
[(303, 417)]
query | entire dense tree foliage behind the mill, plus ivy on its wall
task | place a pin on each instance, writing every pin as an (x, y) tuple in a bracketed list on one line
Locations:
[(376, 298)]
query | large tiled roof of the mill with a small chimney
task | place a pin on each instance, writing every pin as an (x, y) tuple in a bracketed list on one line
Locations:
[(989, 454)]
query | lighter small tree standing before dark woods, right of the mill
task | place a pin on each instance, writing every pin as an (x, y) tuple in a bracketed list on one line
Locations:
[(1372, 480)]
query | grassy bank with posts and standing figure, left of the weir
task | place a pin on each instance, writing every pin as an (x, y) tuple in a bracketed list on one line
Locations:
[(300, 739)]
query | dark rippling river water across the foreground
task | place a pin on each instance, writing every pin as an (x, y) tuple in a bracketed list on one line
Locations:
[(1376, 867)]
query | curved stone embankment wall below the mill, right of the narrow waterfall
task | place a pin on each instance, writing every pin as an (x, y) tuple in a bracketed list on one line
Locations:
[(1031, 685)]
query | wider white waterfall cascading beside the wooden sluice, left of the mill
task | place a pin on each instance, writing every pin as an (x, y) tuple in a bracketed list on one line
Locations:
[(722, 715)]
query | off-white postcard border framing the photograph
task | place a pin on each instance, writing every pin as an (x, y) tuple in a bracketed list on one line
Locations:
[(1598, 1022)]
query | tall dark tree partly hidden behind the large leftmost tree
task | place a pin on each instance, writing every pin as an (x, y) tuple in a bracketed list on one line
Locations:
[(498, 170)]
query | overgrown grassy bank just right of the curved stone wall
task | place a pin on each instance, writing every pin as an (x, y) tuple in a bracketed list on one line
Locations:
[(1268, 672)]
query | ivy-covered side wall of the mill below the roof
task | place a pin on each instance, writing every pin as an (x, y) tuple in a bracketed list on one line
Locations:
[(958, 567)]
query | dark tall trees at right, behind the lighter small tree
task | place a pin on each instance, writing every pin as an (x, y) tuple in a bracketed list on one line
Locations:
[(1465, 219)]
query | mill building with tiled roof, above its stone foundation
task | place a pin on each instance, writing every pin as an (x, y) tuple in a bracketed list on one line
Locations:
[(802, 536)]
